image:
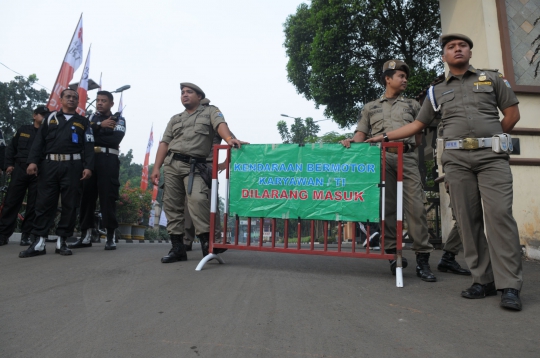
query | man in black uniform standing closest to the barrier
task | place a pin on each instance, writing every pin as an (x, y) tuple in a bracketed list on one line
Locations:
[(108, 131)]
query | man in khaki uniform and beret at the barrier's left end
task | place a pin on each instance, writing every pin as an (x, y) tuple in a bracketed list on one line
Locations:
[(186, 142)]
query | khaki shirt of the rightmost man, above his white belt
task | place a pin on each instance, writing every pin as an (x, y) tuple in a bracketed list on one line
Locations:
[(468, 106)]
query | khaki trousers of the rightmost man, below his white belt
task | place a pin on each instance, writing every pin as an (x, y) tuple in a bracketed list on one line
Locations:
[(479, 177)]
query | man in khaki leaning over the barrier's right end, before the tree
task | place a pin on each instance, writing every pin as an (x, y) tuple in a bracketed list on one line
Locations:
[(389, 112)]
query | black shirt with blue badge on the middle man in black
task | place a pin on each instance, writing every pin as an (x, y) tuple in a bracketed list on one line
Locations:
[(56, 136)]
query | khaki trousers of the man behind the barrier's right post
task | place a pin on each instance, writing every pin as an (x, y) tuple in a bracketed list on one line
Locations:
[(413, 203)]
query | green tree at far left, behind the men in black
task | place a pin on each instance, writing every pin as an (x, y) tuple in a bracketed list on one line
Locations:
[(17, 102)]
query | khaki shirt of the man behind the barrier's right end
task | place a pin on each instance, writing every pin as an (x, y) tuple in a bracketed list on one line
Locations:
[(382, 116)]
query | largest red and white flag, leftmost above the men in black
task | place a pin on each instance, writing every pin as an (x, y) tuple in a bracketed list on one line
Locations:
[(72, 61)]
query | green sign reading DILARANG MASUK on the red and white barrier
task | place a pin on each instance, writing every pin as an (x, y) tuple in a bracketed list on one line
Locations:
[(318, 181)]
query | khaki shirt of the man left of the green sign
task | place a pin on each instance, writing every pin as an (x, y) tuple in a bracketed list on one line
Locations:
[(192, 134)]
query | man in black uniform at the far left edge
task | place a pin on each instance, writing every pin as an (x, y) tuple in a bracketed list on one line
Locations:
[(16, 156)]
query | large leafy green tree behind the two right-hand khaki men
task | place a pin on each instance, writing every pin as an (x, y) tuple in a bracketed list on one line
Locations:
[(337, 48)]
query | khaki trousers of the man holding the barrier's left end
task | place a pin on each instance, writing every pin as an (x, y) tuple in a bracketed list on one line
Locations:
[(175, 197)]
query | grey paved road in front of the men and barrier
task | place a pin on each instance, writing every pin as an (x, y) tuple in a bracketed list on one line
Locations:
[(125, 303)]
